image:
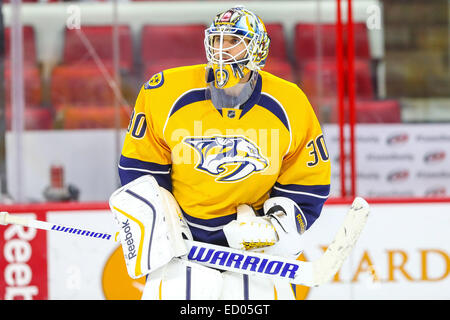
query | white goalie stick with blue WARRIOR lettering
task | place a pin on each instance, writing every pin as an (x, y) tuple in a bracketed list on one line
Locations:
[(311, 274)]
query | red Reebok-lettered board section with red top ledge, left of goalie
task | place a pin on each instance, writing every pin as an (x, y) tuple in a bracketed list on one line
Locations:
[(23, 257)]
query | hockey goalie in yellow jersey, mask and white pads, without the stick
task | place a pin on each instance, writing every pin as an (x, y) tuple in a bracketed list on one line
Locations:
[(221, 153)]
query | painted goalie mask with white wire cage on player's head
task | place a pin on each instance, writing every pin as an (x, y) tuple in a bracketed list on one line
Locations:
[(236, 44)]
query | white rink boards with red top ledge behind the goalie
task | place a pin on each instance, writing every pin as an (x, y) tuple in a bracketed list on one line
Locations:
[(403, 253)]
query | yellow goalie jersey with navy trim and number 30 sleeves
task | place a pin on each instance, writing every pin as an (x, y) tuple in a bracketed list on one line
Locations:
[(214, 159)]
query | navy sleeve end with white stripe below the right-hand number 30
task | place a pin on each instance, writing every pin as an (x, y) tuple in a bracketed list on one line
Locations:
[(310, 199)]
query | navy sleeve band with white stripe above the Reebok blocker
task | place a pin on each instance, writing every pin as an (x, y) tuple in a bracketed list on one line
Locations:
[(131, 169)]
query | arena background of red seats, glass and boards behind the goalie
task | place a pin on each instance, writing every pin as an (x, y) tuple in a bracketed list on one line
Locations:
[(72, 70)]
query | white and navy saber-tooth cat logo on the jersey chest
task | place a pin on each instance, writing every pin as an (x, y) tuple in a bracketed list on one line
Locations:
[(229, 158)]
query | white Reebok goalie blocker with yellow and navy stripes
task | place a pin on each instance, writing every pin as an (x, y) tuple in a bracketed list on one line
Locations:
[(149, 237)]
